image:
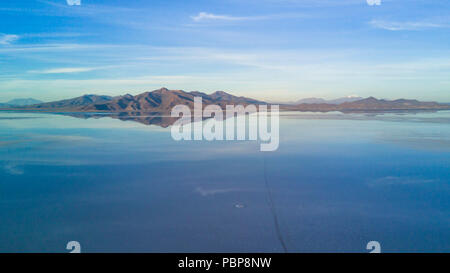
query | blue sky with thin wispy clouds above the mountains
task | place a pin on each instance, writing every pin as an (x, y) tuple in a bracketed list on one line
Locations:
[(275, 50)]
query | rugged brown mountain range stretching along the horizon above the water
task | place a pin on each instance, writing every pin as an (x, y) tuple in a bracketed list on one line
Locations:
[(163, 100)]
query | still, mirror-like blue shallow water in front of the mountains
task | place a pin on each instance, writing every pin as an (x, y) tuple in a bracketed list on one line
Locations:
[(336, 182)]
